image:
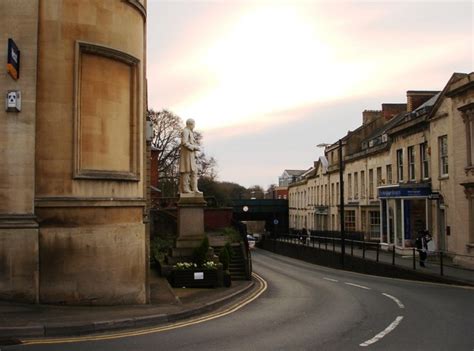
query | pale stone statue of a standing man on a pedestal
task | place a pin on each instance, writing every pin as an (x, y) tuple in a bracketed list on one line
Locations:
[(187, 161)]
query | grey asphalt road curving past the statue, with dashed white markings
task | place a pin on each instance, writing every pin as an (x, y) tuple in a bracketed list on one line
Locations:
[(308, 307)]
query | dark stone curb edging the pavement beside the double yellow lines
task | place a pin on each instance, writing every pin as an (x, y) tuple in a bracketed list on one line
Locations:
[(9, 335)]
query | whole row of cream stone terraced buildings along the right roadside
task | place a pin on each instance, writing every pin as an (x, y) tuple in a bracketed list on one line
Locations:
[(407, 168)]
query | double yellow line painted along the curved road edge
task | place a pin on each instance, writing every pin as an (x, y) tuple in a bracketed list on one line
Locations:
[(125, 334)]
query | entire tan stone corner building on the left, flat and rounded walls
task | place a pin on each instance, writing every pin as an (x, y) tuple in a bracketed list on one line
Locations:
[(72, 182)]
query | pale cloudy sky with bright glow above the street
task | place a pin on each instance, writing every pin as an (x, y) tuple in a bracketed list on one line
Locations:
[(266, 80)]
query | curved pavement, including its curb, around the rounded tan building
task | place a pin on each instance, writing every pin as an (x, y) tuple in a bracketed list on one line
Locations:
[(167, 305)]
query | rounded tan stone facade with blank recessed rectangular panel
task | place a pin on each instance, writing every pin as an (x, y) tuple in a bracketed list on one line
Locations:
[(89, 171)]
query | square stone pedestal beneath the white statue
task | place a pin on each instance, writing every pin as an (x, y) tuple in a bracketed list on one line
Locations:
[(190, 226)]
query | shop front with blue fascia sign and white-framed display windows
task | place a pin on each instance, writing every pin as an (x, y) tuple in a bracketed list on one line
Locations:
[(405, 211)]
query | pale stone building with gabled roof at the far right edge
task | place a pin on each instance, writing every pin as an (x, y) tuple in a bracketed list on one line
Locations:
[(452, 171)]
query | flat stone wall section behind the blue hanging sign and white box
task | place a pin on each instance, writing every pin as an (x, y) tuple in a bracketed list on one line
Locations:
[(18, 228)]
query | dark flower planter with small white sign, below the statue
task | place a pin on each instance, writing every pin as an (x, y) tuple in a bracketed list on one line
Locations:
[(196, 278)]
